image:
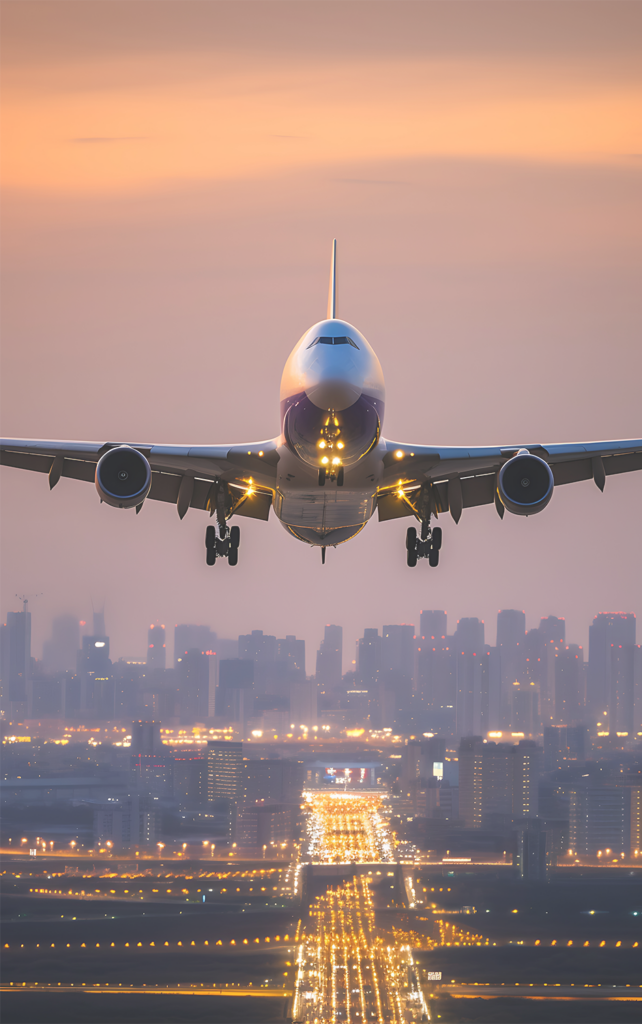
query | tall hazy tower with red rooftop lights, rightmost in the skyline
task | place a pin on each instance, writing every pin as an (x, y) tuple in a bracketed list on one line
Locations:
[(611, 673)]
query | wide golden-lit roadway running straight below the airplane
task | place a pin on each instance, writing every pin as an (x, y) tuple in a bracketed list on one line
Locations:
[(346, 971)]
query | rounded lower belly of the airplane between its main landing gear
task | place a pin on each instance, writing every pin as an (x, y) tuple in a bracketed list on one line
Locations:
[(327, 516)]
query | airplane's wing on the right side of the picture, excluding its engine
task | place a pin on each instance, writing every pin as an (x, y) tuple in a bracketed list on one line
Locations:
[(455, 479)]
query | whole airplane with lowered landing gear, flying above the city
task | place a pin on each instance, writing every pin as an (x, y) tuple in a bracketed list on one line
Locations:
[(331, 467)]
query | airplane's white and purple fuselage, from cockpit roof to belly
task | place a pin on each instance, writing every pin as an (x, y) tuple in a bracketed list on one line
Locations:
[(332, 407)]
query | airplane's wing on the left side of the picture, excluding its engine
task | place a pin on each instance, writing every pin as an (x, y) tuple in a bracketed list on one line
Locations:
[(183, 475)]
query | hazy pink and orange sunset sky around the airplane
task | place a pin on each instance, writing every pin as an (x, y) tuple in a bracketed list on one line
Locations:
[(174, 176)]
